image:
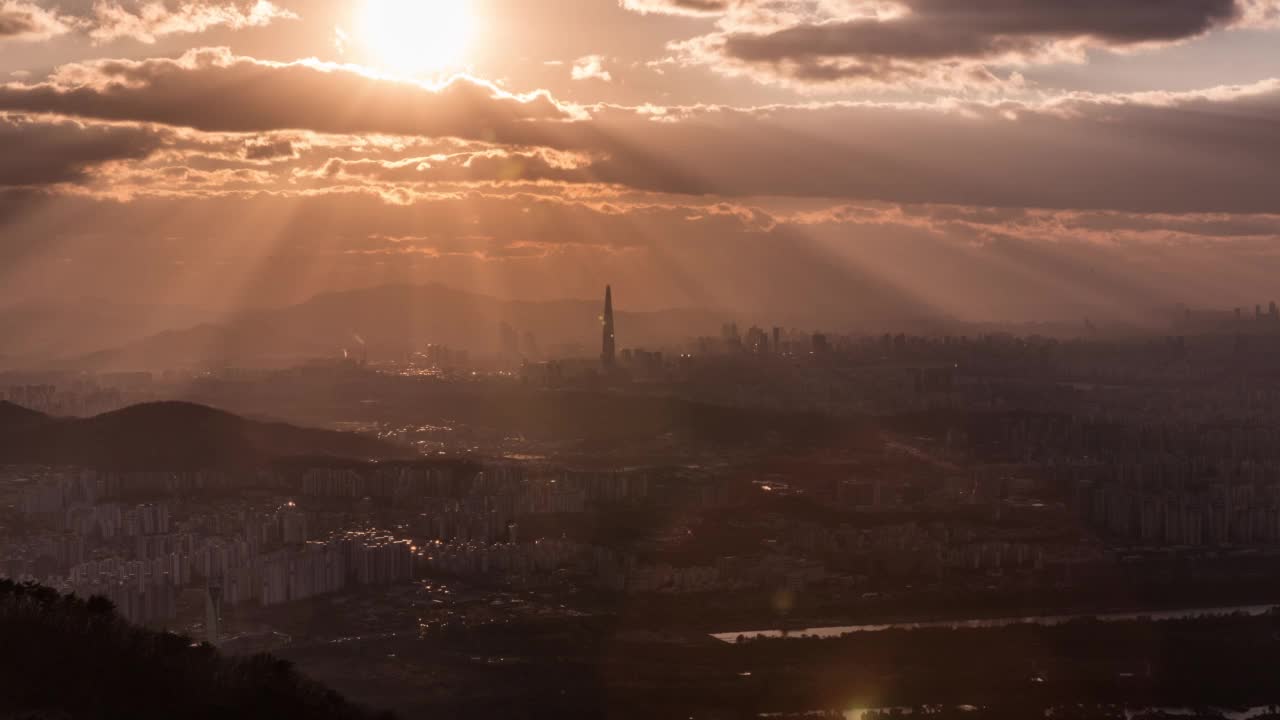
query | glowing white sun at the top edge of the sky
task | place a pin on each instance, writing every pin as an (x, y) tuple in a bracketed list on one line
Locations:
[(418, 37)]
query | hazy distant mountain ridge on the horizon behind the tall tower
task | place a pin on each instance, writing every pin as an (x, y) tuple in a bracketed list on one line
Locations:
[(390, 321)]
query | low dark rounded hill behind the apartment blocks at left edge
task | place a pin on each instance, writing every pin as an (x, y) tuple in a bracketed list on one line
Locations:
[(171, 436)]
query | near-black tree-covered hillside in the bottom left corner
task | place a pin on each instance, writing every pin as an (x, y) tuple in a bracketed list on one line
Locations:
[(67, 658)]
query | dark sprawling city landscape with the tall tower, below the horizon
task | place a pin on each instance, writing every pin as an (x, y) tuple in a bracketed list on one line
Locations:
[(784, 503)]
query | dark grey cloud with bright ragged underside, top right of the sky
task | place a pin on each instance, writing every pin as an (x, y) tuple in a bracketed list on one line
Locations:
[(948, 44)]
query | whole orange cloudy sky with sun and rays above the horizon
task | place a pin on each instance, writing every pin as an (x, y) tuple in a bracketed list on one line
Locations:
[(1003, 161)]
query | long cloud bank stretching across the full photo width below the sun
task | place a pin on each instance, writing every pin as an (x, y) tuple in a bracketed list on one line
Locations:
[(1209, 152)]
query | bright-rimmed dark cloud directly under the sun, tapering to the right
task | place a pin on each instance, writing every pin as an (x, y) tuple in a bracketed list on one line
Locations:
[(214, 90)]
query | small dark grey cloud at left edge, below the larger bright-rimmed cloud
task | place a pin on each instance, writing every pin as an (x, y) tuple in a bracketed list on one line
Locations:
[(40, 153)]
